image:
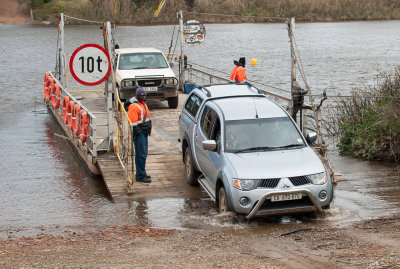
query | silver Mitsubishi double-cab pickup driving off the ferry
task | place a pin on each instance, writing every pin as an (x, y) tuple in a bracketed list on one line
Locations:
[(248, 154)]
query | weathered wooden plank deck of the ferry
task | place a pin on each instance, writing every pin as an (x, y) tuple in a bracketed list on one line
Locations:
[(164, 161)]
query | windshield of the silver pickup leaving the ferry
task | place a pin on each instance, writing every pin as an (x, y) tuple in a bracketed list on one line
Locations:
[(261, 135)]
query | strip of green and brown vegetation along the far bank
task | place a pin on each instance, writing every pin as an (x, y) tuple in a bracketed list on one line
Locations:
[(141, 11)]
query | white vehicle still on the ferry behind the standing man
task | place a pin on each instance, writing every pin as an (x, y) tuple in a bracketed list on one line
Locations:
[(147, 68)]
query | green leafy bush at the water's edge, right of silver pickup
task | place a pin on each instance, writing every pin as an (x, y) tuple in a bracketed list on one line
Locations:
[(370, 121)]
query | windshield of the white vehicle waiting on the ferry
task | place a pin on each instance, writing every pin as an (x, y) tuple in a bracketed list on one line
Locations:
[(130, 61)]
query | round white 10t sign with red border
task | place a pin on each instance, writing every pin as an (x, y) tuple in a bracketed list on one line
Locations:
[(90, 64)]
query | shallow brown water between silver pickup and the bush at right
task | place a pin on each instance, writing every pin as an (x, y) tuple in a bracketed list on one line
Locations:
[(370, 189)]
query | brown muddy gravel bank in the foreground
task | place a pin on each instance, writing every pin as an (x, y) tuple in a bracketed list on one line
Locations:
[(365, 244)]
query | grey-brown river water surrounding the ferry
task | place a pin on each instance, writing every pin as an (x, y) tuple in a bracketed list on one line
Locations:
[(43, 184)]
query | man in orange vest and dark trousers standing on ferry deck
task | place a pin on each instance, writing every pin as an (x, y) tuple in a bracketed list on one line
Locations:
[(139, 114)]
